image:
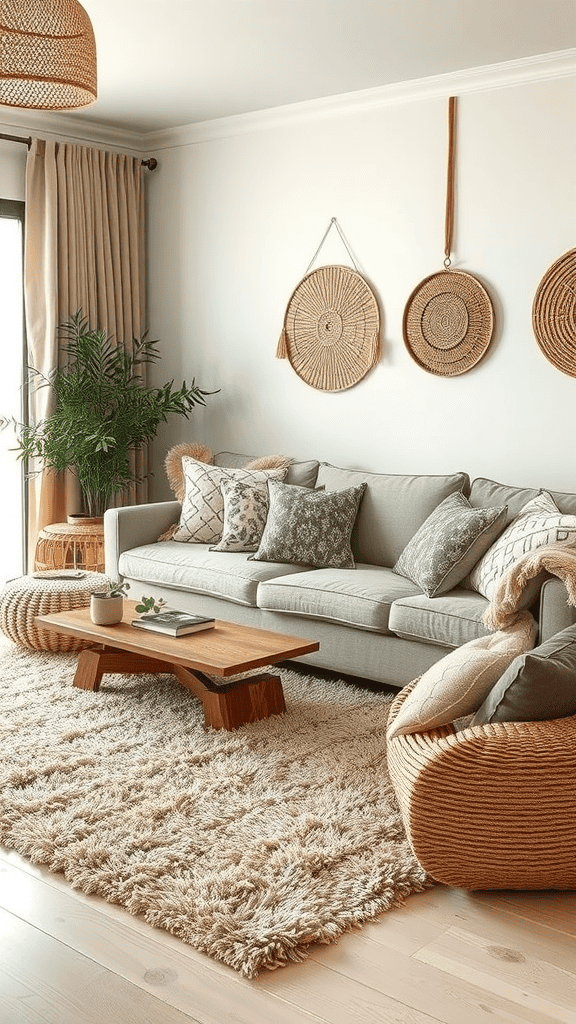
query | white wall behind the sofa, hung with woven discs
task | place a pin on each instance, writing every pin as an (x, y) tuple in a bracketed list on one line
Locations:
[(234, 223)]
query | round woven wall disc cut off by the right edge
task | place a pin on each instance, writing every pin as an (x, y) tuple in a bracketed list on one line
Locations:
[(554, 314)]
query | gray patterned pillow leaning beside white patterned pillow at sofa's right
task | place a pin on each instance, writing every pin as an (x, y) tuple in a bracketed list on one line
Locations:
[(449, 544)]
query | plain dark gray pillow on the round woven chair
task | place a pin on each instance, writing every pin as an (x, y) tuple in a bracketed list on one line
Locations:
[(537, 687)]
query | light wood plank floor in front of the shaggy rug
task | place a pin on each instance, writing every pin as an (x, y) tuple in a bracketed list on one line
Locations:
[(447, 956)]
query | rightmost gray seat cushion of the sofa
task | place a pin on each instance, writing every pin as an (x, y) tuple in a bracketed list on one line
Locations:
[(451, 620)]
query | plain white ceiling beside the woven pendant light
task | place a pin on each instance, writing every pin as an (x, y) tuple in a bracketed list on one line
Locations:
[(164, 64)]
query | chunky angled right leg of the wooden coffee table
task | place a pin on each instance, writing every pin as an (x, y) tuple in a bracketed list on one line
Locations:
[(233, 705)]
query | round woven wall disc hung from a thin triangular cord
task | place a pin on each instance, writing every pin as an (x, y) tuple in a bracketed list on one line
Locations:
[(333, 328)]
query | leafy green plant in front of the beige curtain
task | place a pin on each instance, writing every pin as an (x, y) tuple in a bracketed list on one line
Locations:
[(103, 412)]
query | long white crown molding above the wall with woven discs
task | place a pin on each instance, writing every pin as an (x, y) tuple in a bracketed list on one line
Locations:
[(561, 64)]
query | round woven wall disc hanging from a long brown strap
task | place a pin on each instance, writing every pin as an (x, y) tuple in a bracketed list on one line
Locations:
[(448, 323)]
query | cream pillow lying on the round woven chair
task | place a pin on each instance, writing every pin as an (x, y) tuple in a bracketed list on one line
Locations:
[(460, 684)]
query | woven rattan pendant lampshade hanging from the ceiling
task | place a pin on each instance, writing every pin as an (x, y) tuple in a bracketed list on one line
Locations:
[(48, 55)]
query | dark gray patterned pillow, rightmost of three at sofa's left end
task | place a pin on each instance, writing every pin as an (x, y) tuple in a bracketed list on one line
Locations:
[(310, 528)]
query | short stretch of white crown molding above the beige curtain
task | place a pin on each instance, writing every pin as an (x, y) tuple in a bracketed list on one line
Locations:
[(67, 127)]
